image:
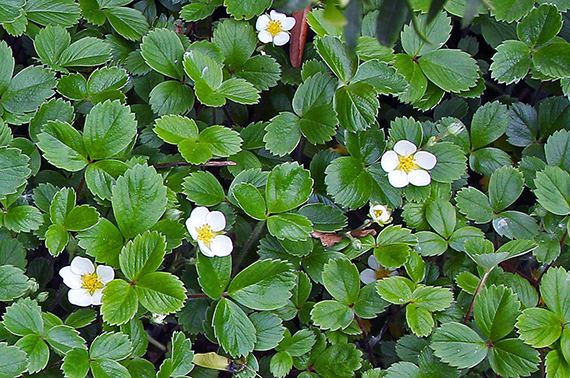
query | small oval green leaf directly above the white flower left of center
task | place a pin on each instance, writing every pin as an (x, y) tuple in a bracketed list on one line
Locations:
[(203, 188)]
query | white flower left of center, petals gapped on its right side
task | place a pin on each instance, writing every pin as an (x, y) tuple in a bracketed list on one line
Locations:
[(206, 228)]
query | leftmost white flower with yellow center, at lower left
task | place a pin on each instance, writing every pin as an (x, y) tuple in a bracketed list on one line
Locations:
[(86, 282)]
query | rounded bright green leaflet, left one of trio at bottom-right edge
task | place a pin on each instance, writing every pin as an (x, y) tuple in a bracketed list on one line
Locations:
[(539, 327)]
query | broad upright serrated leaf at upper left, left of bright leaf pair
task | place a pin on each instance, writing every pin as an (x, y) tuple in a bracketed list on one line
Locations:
[(109, 128)]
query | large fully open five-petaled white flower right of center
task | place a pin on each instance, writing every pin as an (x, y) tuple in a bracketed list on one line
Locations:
[(406, 165)]
